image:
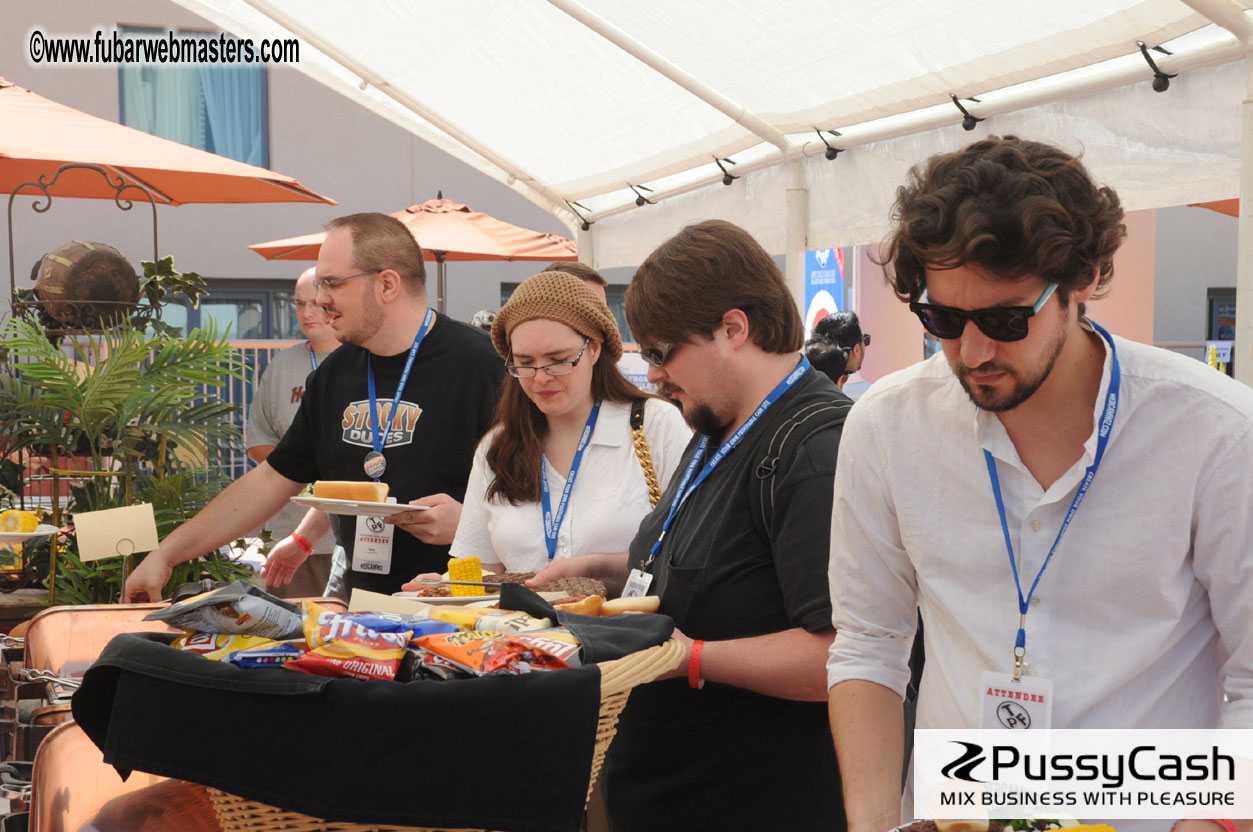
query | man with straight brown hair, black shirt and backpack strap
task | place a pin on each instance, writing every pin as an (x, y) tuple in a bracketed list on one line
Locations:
[(736, 549)]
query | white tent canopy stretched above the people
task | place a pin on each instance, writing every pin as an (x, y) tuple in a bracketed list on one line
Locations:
[(618, 113)]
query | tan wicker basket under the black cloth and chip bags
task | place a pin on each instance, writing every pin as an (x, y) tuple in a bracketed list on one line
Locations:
[(617, 680)]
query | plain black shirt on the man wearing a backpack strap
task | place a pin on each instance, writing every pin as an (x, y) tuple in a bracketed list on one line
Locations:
[(726, 757)]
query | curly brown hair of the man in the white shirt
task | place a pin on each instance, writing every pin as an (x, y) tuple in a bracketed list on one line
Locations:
[(1013, 209)]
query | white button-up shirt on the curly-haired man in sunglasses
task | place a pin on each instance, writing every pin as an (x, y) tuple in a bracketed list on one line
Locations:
[(1145, 617)]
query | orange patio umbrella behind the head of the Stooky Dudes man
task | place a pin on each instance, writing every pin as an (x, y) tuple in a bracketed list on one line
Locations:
[(447, 231)]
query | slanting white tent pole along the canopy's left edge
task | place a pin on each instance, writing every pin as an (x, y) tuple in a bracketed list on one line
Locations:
[(547, 199)]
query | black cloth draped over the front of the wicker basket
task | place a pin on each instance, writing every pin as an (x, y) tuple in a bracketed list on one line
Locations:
[(350, 750)]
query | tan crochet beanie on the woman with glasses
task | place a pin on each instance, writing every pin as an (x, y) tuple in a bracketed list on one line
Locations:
[(561, 298)]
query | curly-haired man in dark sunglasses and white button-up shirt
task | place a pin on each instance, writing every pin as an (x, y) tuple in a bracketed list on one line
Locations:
[(1068, 509)]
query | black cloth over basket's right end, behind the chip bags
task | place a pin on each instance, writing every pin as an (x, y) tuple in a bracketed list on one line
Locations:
[(603, 640)]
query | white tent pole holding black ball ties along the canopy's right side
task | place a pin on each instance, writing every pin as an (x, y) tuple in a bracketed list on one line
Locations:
[(1084, 81)]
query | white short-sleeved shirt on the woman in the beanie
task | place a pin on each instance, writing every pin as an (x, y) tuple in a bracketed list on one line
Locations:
[(608, 501)]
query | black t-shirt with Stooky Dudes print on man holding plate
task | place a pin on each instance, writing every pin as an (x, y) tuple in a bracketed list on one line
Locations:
[(449, 404)]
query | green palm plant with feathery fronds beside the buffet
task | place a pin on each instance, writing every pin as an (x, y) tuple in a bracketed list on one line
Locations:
[(130, 402)]
